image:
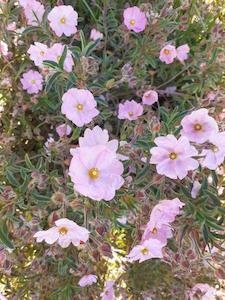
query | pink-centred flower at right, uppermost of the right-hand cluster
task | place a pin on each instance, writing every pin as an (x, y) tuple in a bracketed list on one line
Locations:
[(198, 126)]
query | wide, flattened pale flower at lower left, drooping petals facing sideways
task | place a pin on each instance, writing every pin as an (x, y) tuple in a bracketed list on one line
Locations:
[(64, 233)]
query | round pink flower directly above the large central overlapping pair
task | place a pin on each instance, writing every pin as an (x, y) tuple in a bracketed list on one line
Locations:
[(79, 106)]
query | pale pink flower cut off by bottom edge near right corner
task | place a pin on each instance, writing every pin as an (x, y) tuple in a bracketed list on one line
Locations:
[(204, 291)]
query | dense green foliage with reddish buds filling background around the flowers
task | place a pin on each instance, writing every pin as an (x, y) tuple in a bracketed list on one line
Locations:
[(36, 189)]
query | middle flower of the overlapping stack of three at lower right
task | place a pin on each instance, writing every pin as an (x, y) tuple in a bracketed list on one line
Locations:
[(162, 234)]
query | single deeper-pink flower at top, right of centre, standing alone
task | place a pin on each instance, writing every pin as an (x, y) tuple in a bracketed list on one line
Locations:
[(134, 19)]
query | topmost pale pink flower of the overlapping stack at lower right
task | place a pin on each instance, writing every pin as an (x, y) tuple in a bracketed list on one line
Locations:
[(164, 213)]
